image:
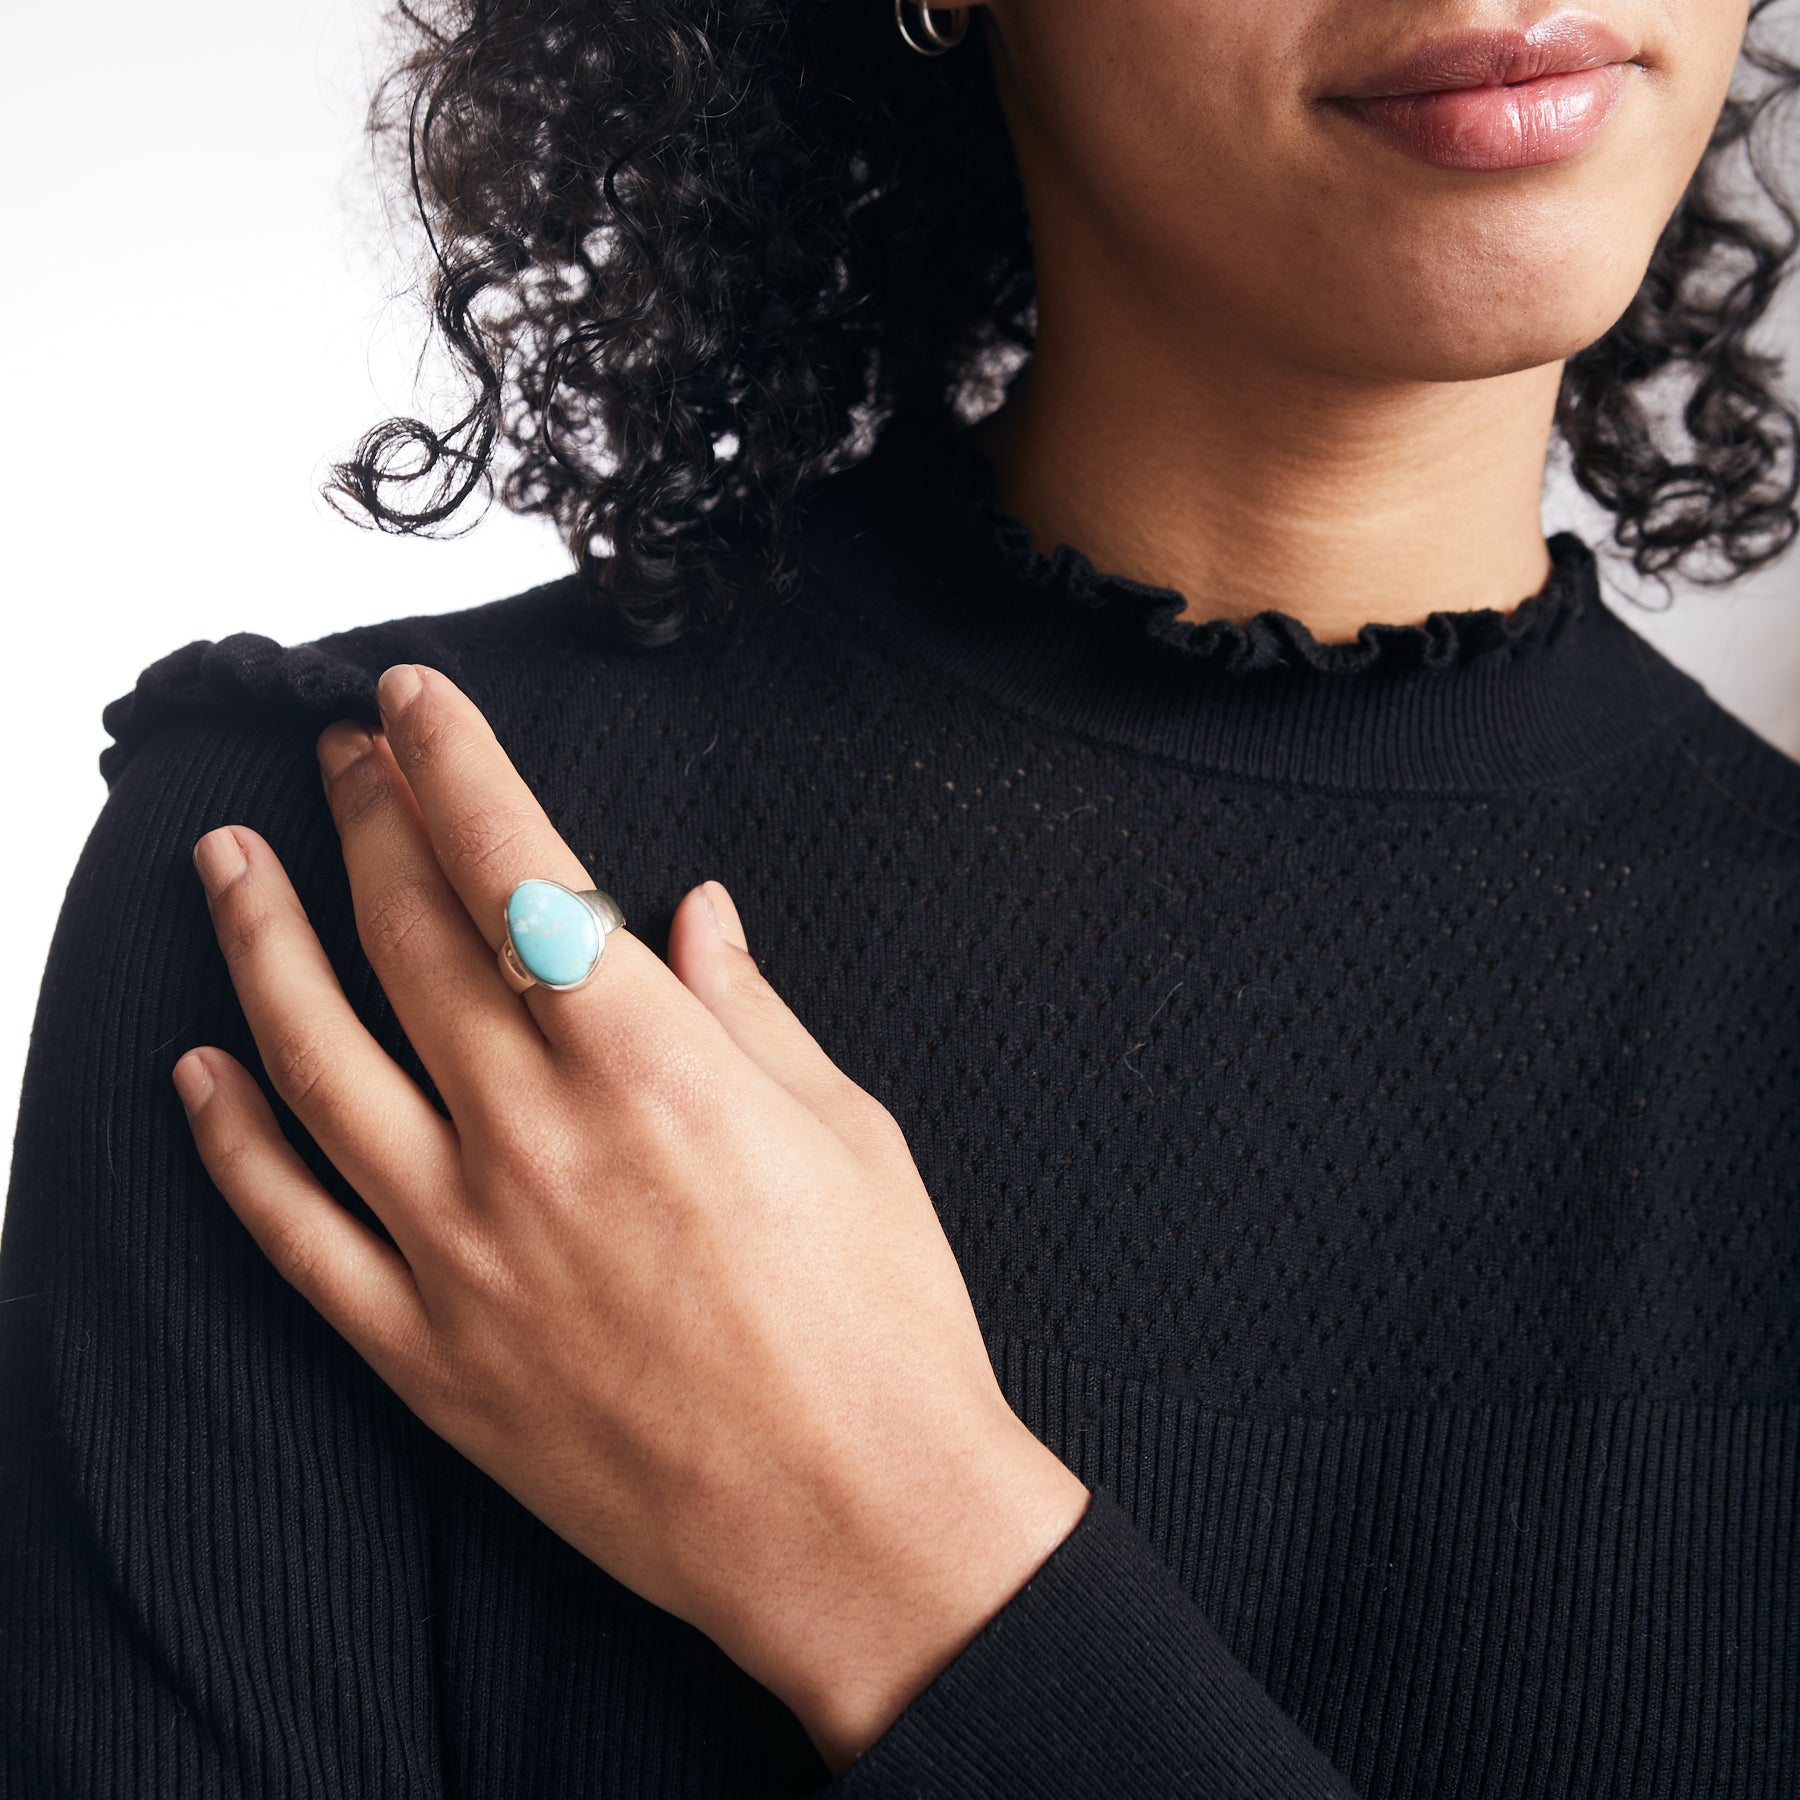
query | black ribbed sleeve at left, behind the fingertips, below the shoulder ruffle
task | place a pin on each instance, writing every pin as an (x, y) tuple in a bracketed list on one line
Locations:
[(215, 1563)]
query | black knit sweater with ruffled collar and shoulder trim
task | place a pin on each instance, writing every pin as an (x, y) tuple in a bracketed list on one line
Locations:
[(1362, 1084)]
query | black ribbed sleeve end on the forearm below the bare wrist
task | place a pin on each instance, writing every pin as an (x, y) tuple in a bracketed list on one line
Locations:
[(1099, 1678)]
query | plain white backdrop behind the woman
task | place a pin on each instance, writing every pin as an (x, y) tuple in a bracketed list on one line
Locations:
[(199, 323)]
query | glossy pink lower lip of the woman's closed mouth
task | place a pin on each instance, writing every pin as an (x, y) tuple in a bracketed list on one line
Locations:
[(1518, 127)]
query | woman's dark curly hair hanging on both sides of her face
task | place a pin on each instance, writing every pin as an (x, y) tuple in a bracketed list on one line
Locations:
[(694, 253)]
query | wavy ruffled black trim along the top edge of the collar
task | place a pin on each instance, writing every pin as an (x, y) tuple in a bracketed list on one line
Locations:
[(1268, 643)]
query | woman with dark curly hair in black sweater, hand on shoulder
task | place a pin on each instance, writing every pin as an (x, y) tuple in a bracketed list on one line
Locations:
[(1219, 1214)]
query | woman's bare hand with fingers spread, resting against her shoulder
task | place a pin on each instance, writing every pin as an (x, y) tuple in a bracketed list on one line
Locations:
[(665, 1273)]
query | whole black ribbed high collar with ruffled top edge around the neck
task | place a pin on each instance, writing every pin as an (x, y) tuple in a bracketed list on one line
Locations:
[(913, 550)]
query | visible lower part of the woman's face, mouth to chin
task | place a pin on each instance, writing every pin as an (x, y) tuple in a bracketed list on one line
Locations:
[(1191, 156)]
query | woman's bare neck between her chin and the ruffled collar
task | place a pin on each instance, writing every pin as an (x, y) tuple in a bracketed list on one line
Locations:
[(1176, 453)]
